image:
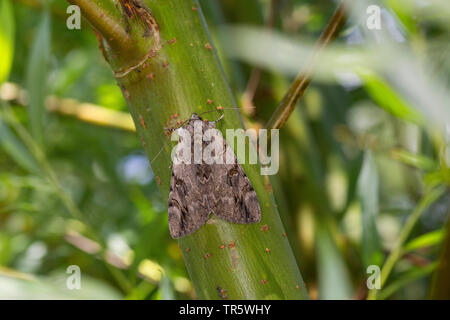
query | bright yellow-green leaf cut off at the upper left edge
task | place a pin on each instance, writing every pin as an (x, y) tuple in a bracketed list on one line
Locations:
[(7, 31)]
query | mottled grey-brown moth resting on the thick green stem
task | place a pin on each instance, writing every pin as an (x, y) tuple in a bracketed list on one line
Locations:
[(200, 189)]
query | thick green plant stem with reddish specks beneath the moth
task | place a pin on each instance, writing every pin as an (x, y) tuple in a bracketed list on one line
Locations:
[(178, 73)]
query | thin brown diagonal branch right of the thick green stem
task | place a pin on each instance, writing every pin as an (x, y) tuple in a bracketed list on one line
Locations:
[(301, 83)]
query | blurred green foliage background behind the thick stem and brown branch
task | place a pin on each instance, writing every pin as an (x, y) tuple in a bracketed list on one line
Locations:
[(365, 157)]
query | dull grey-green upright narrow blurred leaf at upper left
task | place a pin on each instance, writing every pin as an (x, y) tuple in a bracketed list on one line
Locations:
[(37, 74)]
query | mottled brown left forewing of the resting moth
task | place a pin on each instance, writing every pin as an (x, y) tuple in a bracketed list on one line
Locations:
[(188, 203)]
